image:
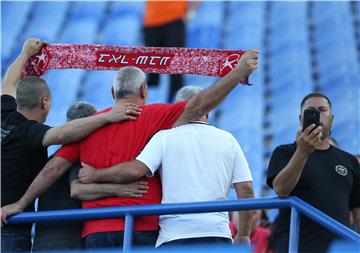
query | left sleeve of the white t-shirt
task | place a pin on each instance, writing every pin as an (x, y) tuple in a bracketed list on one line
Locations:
[(151, 155)]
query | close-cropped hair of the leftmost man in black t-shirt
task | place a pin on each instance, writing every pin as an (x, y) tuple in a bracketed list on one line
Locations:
[(30, 92)]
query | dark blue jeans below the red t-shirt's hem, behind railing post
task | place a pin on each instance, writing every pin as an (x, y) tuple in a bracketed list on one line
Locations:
[(115, 239)]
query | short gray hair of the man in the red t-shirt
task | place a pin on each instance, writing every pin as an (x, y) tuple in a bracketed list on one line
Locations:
[(128, 81)]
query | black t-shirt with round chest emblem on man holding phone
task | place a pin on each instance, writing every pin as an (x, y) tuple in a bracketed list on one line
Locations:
[(329, 182)]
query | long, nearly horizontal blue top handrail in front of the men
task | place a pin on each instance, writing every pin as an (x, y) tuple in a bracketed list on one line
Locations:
[(148, 210)]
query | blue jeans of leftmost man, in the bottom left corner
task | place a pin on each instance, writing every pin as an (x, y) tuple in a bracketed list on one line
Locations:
[(15, 240)]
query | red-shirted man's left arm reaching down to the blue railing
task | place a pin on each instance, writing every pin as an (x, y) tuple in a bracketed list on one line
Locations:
[(53, 170)]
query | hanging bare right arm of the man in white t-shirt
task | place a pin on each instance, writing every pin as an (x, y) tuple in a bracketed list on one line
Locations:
[(244, 190)]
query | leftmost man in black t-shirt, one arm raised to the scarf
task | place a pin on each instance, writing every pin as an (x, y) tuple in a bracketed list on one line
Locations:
[(24, 139)]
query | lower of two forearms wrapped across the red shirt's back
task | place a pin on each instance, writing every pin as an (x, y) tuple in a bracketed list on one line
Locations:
[(94, 191)]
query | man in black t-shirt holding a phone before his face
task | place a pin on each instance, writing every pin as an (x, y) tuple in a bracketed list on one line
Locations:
[(322, 175)]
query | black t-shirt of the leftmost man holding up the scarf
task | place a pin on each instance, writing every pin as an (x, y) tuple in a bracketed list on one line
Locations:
[(22, 152)]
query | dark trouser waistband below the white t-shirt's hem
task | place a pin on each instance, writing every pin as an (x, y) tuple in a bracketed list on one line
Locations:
[(198, 241)]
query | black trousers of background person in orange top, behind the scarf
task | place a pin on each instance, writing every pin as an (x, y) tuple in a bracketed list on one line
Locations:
[(168, 35)]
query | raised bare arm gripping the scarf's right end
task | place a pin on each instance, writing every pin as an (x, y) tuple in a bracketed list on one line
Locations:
[(209, 98)]
